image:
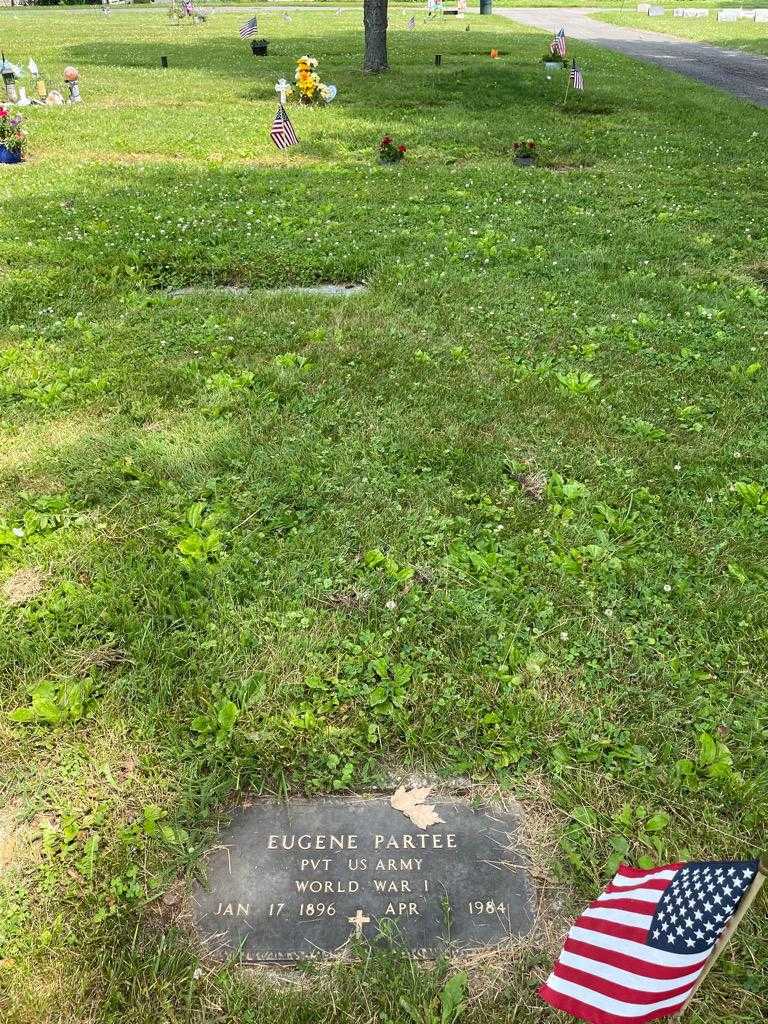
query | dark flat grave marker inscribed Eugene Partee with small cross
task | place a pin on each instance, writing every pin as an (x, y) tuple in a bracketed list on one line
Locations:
[(296, 881)]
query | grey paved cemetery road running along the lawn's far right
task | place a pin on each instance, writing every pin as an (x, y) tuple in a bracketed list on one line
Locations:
[(743, 75)]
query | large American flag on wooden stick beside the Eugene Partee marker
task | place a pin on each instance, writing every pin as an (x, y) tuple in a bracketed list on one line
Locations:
[(636, 954)]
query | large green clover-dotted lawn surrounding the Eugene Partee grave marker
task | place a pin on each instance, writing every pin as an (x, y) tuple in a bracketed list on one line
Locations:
[(521, 486)]
